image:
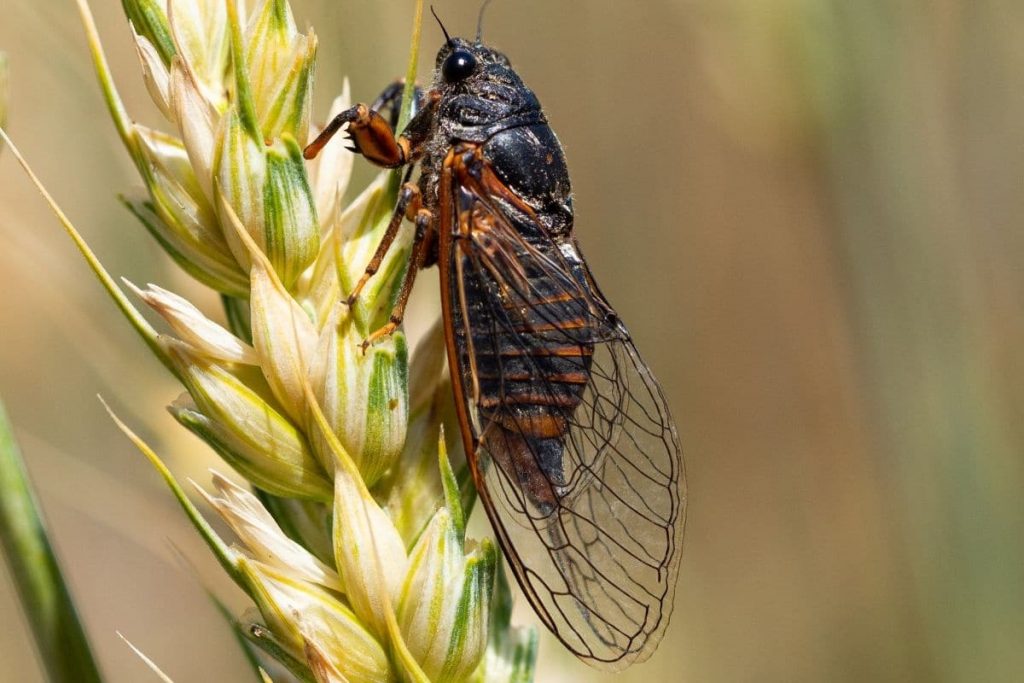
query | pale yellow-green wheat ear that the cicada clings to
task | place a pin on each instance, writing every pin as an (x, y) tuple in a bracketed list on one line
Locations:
[(352, 543)]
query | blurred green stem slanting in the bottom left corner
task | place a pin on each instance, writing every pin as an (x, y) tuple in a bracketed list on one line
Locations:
[(60, 637)]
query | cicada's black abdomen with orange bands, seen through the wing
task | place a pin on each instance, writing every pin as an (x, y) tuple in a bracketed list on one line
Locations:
[(530, 368)]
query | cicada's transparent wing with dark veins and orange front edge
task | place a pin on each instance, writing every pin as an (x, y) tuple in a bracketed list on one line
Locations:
[(575, 454)]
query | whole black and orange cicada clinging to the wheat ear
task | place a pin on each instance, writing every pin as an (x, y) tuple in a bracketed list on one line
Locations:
[(568, 434)]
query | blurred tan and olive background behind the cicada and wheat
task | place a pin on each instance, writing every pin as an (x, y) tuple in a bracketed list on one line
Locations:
[(809, 212)]
